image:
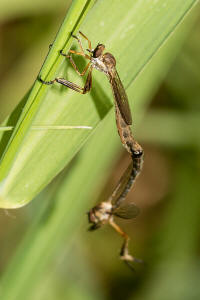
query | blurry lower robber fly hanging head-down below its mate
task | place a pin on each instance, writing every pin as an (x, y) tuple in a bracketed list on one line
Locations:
[(104, 212)]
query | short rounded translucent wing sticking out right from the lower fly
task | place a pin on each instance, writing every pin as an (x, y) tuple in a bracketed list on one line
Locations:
[(127, 211)]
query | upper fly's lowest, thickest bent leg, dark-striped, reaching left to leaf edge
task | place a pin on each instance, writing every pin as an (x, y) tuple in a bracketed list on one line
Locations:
[(71, 85)]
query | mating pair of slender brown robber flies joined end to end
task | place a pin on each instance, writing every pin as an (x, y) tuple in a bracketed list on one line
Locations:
[(104, 212)]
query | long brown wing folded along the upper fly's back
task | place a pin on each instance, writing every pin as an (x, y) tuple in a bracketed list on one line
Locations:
[(120, 97)]
